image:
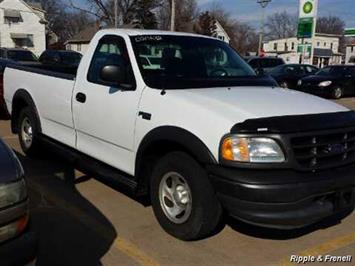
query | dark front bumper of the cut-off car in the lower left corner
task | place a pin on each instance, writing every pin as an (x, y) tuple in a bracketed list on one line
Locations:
[(20, 250)]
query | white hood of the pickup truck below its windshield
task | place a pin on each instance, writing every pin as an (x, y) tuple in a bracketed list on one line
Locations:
[(242, 103)]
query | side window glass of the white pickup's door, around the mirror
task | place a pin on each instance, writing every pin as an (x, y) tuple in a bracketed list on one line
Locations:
[(111, 50)]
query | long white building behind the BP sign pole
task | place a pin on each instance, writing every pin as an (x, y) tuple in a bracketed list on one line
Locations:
[(322, 52)]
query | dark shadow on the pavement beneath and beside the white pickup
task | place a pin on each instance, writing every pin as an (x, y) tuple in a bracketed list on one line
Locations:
[(66, 240)]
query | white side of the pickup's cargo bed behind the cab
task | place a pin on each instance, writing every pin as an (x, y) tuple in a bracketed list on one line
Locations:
[(51, 93)]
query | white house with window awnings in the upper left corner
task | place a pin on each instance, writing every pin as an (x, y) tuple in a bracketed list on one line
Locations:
[(22, 25)]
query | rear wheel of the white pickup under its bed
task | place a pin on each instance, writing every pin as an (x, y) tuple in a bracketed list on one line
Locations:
[(28, 126)]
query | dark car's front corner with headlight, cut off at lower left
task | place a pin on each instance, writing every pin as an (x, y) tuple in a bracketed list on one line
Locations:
[(18, 244)]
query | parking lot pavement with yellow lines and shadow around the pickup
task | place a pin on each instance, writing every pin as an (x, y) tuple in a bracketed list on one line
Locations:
[(81, 221)]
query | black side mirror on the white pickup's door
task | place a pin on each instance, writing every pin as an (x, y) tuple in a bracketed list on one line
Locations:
[(115, 75)]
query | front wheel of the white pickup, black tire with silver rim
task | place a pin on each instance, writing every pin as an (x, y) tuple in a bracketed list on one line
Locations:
[(193, 193)]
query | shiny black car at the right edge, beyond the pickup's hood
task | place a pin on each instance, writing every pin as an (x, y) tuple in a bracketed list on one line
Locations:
[(332, 81)]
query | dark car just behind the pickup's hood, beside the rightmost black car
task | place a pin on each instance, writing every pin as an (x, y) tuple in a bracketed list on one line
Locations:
[(288, 75)]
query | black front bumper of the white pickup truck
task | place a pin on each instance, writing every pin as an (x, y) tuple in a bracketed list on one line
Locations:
[(284, 199)]
